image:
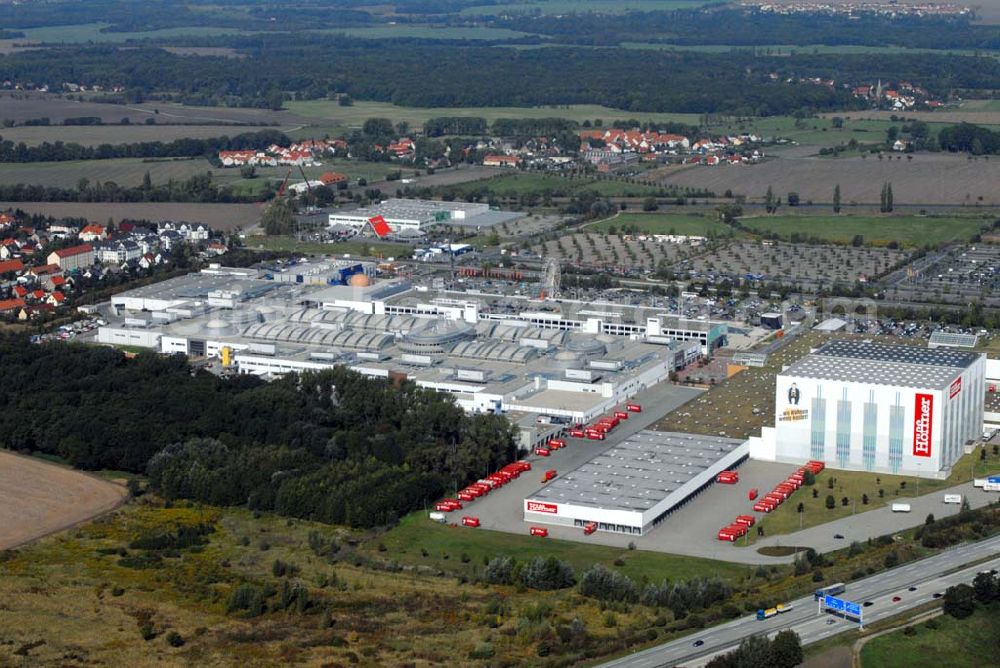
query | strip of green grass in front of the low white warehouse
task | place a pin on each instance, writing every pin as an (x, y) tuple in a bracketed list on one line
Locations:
[(445, 545)]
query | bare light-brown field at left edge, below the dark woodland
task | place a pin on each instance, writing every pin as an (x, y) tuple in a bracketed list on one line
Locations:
[(37, 498)]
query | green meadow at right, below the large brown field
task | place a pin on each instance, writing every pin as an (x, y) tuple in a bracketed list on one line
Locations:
[(907, 230)]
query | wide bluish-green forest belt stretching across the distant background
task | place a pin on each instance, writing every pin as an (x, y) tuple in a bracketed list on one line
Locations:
[(434, 75)]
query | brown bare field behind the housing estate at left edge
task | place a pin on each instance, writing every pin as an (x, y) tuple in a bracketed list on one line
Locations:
[(216, 216)]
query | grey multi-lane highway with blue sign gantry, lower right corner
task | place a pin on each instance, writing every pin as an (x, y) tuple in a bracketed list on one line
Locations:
[(928, 576)]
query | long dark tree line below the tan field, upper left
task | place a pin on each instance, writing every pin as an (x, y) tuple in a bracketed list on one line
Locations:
[(178, 148)]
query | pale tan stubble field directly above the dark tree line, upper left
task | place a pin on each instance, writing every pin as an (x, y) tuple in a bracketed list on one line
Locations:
[(93, 135)]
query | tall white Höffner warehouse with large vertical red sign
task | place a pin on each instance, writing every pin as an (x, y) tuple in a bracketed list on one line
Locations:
[(876, 407)]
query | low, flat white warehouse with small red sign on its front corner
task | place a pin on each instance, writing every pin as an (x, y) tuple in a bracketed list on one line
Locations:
[(635, 485)]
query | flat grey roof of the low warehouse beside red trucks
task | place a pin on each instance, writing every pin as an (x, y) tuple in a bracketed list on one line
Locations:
[(639, 472)]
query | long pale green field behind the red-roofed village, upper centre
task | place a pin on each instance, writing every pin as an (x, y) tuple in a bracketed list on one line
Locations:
[(360, 111)]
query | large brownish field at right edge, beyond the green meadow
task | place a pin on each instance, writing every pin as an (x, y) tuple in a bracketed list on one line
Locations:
[(926, 179)]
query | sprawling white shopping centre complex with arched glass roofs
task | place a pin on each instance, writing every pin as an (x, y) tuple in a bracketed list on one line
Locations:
[(493, 353)]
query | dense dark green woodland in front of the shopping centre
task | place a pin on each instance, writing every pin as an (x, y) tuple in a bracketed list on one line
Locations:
[(332, 446)]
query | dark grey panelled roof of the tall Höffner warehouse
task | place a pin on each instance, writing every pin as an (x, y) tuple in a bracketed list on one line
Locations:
[(882, 364)]
